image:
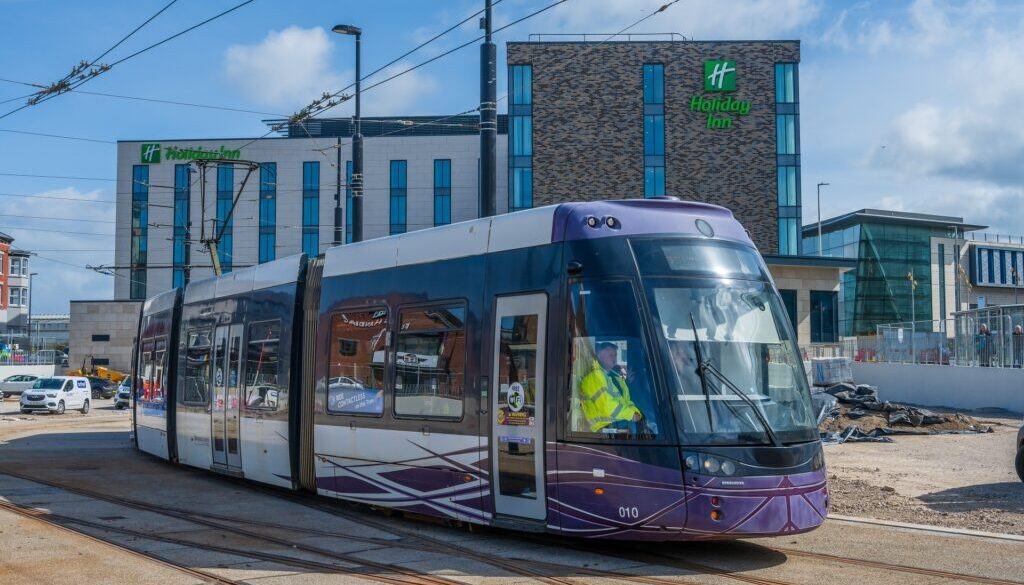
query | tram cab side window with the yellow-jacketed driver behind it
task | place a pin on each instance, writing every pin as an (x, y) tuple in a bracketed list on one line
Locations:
[(612, 391)]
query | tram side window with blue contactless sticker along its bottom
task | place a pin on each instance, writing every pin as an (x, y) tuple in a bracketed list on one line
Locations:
[(356, 369)]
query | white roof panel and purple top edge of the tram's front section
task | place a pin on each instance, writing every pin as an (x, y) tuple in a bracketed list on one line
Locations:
[(562, 223)]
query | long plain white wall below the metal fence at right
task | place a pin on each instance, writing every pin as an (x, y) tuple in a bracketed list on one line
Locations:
[(964, 389)]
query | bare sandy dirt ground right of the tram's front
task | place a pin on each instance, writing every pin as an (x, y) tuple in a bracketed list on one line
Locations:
[(957, 481)]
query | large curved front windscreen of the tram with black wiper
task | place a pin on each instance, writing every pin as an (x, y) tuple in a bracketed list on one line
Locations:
[(741, 330)]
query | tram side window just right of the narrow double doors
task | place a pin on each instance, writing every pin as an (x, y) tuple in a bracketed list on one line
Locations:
[(265, 390)]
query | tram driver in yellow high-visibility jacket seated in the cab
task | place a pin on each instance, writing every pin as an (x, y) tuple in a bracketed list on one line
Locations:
[(605, 396)]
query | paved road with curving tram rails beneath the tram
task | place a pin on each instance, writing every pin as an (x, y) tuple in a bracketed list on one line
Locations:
[(101, 513)]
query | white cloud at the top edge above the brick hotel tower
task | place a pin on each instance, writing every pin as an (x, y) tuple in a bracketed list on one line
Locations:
[(694, 19)]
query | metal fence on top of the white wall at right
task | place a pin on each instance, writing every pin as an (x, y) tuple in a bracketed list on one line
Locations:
[(992, 338)]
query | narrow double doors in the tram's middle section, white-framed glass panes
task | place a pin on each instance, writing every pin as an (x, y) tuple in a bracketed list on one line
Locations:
[(225, 414)]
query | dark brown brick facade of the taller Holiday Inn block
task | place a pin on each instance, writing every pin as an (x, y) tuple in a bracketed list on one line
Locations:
[(588, 126)]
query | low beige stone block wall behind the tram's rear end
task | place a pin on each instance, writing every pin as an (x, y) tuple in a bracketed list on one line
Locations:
[(117, 319)]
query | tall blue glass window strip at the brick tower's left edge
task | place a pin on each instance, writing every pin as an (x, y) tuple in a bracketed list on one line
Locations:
[(521, 137)]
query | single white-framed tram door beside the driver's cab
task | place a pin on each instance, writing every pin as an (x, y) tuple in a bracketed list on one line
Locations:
[(518, 405)]
